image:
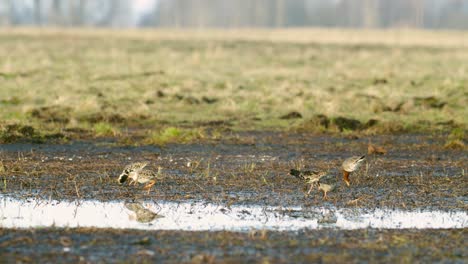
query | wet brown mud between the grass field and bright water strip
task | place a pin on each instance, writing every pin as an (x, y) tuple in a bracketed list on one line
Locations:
[(416, 172)]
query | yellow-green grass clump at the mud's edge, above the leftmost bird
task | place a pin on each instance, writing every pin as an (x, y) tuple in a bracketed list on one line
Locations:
[(174, 135)]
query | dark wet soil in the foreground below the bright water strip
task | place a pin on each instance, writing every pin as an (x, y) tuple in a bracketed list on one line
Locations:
[(306, 246)]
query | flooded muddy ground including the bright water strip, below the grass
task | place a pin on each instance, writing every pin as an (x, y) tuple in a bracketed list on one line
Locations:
[(232, 191)]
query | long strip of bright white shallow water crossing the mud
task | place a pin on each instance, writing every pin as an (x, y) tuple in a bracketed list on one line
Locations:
[(16, 213)]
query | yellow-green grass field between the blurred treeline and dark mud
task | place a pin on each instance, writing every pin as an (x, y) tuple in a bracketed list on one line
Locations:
[(102, 82)]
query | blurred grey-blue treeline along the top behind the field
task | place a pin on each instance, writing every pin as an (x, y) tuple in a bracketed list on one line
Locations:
[(434, 14)]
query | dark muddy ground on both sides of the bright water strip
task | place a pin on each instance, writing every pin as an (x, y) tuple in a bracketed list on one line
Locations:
[(417, 172)]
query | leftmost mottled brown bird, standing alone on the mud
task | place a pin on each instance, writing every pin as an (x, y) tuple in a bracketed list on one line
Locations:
[(137, 174)]
